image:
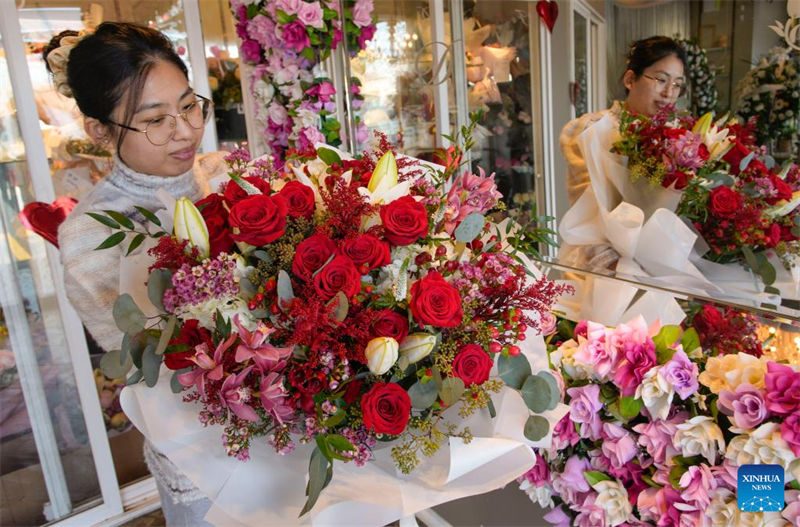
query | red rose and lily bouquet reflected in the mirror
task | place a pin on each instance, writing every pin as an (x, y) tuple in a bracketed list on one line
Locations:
[(740, 202)]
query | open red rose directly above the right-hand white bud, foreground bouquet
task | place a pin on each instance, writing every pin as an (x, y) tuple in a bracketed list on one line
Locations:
[(435, 302)]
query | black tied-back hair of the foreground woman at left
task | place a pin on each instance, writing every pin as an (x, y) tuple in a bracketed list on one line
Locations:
[(109, 67)]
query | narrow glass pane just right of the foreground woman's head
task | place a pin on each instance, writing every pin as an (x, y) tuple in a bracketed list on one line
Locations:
[(222, 60)]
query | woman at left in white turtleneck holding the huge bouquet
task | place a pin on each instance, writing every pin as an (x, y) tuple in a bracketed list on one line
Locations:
[(133, 91)]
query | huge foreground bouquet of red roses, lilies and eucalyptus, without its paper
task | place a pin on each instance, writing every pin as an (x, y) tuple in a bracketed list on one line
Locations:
[(338, 302)]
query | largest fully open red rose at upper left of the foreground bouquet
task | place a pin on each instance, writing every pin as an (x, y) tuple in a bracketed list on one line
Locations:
[(260, 219)]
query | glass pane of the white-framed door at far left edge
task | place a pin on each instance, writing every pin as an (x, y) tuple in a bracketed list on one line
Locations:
[(43, 436)]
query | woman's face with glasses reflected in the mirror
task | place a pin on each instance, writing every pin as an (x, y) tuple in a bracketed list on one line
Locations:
[(657, 86)]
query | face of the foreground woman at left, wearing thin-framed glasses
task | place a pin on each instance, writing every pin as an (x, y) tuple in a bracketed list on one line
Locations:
[(166, 91)]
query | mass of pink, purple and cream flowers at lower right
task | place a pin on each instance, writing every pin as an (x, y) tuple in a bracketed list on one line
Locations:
[(657, 428)]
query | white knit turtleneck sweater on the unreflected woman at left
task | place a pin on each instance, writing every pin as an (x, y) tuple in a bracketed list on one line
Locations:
[(92, 277)]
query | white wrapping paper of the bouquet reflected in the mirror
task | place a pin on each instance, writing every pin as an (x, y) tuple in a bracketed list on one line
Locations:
[(636, 221)]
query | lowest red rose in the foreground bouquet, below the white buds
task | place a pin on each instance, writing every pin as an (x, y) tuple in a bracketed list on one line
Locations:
[(386, 408)]
